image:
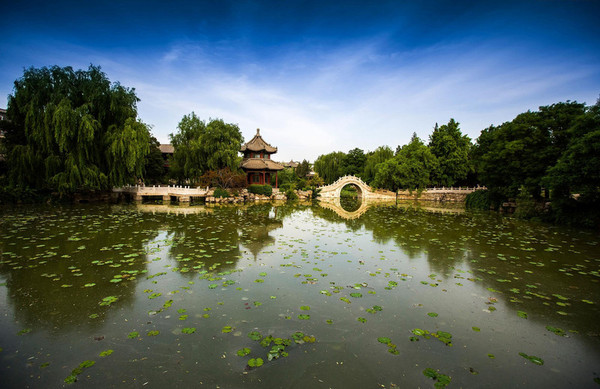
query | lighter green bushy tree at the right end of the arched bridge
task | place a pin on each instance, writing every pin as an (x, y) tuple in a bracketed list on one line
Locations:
[(411, 168)]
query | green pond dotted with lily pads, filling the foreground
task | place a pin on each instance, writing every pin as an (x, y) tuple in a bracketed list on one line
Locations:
[(310, 296)]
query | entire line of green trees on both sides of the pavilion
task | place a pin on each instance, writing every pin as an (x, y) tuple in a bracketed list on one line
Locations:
[(71, 131)]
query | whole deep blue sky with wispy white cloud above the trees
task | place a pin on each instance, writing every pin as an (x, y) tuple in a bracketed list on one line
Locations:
[(319, 76)]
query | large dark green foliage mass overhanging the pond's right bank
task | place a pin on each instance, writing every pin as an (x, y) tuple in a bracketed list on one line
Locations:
[(558, 148)]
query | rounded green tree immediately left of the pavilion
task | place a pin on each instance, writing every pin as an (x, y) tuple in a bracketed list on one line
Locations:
[(200, 147)]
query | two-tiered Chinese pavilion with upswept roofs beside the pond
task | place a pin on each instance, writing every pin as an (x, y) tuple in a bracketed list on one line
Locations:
[(257, 163)]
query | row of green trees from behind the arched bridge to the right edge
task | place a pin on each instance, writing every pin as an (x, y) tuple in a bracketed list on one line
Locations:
[(548, 161)]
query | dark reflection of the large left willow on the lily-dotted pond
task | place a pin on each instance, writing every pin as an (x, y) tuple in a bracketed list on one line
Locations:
[(48, 258)]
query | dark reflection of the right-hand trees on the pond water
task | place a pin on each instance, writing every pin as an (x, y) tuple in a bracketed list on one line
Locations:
[(524, 264)]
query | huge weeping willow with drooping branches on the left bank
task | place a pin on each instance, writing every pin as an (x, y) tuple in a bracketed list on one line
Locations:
[(73, 130)]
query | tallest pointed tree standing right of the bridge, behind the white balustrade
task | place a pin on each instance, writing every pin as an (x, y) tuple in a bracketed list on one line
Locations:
[(451, 148)]
